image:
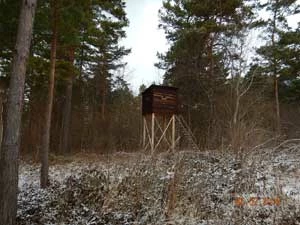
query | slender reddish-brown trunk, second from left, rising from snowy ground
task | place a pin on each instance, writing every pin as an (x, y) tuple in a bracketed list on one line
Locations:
[(46, 133)]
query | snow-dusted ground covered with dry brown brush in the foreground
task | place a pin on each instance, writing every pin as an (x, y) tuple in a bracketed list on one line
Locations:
[(258, 187)]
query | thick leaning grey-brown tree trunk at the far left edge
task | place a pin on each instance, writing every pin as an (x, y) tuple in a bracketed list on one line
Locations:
[(11, 138)]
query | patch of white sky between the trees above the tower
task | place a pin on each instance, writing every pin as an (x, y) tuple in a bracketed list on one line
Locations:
[(145, 40)]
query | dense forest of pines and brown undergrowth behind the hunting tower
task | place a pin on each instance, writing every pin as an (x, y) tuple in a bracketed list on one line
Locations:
[(233, 95)]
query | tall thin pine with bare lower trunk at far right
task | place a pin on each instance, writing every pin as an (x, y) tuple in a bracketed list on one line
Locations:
[(271, 52)]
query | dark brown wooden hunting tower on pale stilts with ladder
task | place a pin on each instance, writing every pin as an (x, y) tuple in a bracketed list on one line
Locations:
[(160, 109)]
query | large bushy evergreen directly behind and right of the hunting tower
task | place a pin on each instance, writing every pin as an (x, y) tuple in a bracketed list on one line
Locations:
[(199, 33)]
